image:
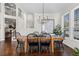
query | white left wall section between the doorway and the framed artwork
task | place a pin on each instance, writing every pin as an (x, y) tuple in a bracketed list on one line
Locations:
[(21, 25)]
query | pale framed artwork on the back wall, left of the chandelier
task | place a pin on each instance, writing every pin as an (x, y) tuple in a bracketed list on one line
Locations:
[(30, 21)]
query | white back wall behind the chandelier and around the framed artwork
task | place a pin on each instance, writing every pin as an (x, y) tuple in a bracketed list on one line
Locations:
[(37, 19)]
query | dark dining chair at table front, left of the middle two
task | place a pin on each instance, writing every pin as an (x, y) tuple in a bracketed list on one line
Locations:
[(32, 42)]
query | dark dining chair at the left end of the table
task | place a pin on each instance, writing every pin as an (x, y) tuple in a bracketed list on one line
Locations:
[(20, 43)]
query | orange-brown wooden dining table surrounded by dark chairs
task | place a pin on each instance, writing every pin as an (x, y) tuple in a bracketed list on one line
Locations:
[(24, 38)]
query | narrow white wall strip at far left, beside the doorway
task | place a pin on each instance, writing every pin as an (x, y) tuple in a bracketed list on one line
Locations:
[(2, 33)]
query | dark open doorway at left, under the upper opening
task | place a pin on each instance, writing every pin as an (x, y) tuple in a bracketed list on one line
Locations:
[(10, 29)]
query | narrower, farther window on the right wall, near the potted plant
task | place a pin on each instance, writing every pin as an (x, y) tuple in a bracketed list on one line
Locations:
[(66, 24)]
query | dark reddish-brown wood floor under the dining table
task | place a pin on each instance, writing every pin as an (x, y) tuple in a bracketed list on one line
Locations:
[(9, 49)]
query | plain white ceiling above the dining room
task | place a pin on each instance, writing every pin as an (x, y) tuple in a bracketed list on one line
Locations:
[(48, 7)]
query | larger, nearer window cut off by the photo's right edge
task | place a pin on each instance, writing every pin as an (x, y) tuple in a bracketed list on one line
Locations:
[(76, 24)]
